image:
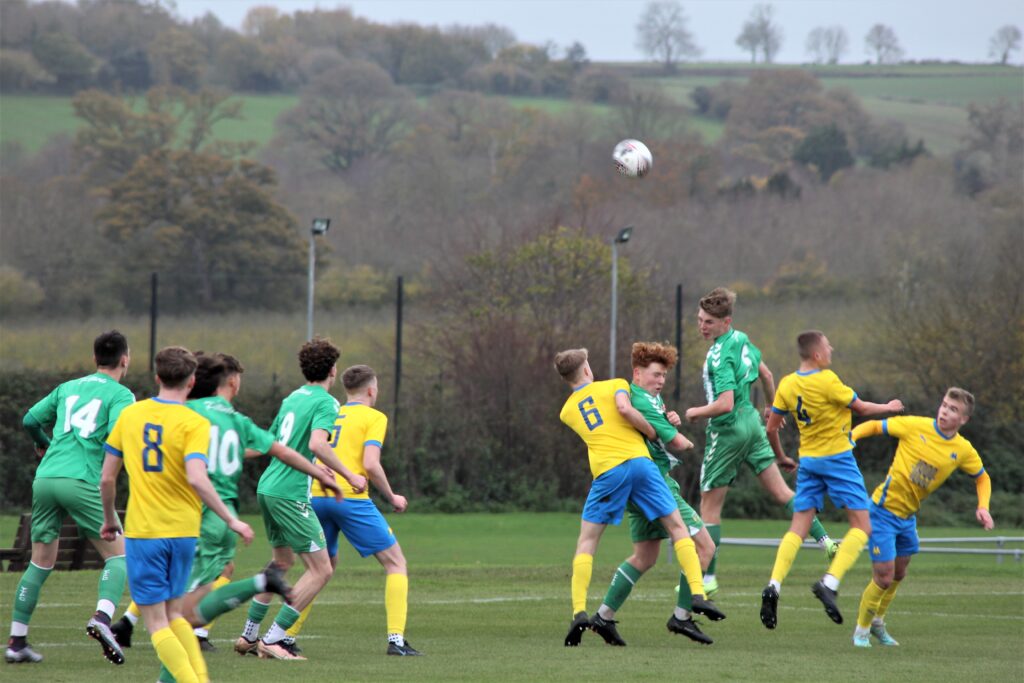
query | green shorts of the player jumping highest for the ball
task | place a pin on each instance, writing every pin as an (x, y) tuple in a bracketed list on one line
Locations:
[(743, 442)]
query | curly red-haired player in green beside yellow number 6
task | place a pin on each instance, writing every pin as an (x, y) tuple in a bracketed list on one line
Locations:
[(652, 362)]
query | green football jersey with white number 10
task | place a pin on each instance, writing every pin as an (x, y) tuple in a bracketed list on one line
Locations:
[(231, 434)]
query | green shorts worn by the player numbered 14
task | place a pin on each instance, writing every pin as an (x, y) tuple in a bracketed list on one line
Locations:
[(53, 500)]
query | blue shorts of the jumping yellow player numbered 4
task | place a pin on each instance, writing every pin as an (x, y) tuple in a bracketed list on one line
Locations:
[(837, 476)]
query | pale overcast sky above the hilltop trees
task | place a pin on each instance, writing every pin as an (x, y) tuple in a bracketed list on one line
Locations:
[(927, 29)]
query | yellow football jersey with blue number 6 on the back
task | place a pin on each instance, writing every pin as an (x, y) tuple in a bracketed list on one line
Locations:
[(611, 440)]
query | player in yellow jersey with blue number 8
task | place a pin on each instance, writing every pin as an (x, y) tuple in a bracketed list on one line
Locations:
[(163, 446)]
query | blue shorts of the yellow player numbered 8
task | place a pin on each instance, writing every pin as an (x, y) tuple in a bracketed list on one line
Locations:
[(158, 569)]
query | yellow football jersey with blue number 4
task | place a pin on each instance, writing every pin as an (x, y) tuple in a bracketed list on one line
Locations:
[(821, 405)]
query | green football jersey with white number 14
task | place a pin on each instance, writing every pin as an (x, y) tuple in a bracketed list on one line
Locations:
[(82, 413)]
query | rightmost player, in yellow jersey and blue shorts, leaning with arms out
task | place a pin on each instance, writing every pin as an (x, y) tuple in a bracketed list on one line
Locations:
[(930, 450)]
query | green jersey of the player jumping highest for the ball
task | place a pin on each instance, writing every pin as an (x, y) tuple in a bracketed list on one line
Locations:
[(733, 363)]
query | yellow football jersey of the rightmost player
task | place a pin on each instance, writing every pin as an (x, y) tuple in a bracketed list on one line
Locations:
[(925, 459)]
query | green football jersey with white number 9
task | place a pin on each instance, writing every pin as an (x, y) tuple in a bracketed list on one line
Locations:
[(308, 409)]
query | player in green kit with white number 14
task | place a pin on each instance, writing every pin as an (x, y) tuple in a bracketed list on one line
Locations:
[(82, 412)]
